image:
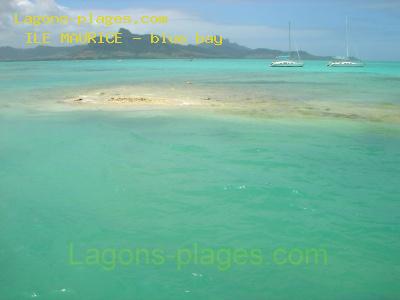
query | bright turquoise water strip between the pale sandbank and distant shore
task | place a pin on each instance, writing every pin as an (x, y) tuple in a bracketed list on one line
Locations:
[(377, 82)]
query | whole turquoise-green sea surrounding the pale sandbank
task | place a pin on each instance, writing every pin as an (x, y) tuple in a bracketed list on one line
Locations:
[(186, 204)]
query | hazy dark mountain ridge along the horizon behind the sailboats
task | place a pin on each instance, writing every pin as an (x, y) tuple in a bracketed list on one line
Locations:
[(141, 49)]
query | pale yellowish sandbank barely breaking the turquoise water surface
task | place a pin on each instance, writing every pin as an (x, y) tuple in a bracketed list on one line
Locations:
[(223, 100)]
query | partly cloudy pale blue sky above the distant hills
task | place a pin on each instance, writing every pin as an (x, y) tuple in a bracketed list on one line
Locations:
[(318, 26)]
